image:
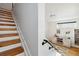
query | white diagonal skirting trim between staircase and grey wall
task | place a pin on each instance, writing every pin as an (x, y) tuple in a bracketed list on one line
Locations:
[(24, 44)]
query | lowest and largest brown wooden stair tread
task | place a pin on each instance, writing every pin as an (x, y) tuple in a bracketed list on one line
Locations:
[(12, 52)]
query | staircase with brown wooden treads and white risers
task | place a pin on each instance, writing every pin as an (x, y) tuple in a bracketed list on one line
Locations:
[(10, 44)]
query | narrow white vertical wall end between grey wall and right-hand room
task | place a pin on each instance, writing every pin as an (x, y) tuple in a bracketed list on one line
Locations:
[(41, 29)]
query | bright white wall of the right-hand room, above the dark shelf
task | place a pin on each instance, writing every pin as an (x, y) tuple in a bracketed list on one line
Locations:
[(61, 11)]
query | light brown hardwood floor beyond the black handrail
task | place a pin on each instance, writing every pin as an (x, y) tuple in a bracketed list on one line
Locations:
[(72, 51)]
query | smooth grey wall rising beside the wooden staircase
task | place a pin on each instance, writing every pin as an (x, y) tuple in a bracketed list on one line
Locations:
[(27, 18)]
